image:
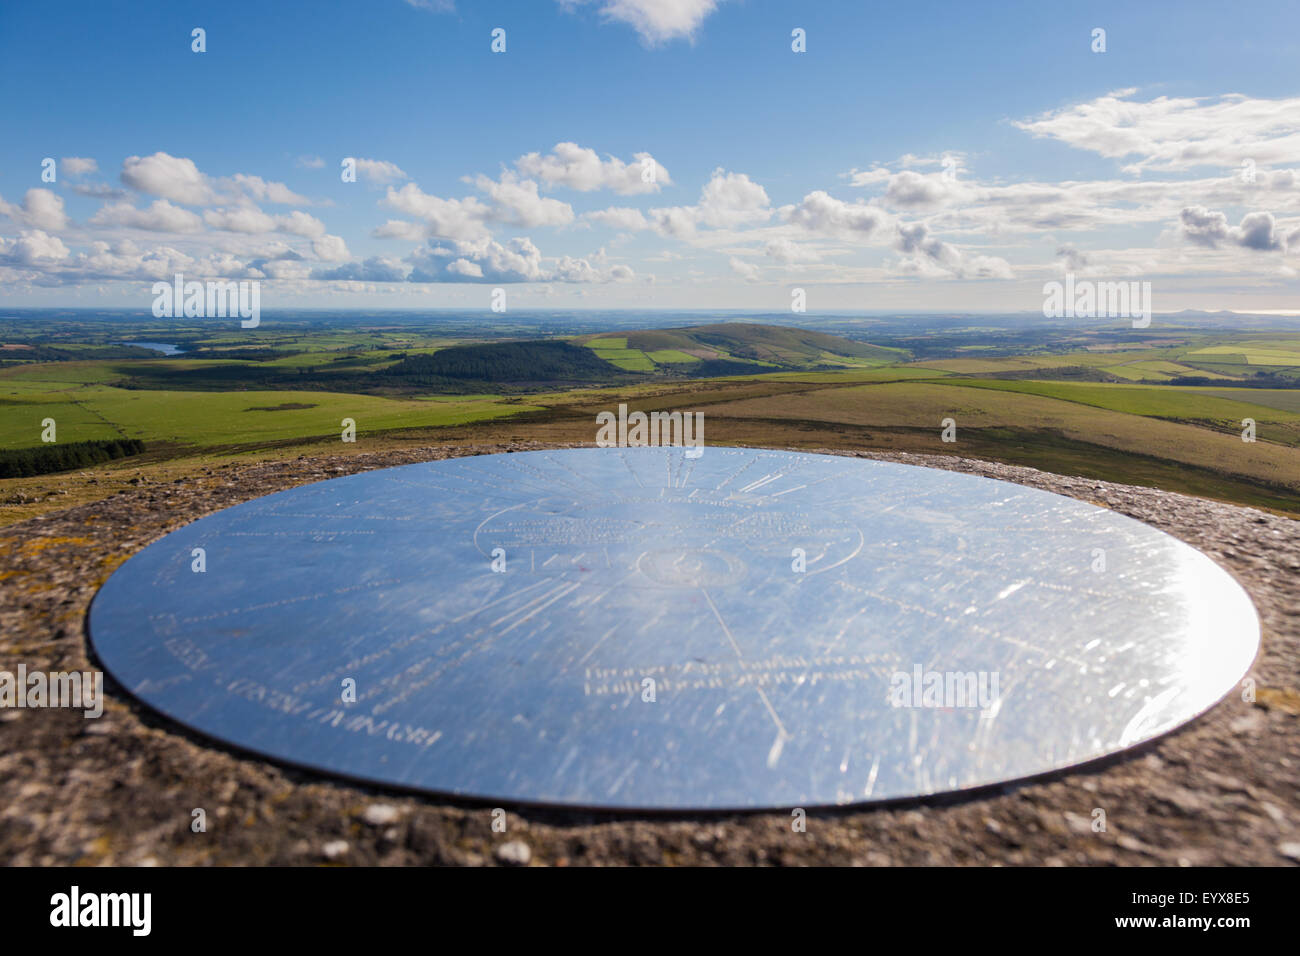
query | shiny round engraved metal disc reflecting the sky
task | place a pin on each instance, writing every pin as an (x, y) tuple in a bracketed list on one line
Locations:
[(644, 629)]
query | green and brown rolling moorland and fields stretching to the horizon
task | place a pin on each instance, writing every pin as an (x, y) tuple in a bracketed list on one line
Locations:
[(1165, 410)]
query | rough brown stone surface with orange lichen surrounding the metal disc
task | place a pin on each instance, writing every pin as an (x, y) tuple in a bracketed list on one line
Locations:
[(122, 790)]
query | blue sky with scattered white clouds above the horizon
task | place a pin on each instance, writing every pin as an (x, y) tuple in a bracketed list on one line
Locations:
[(774, 170)]
